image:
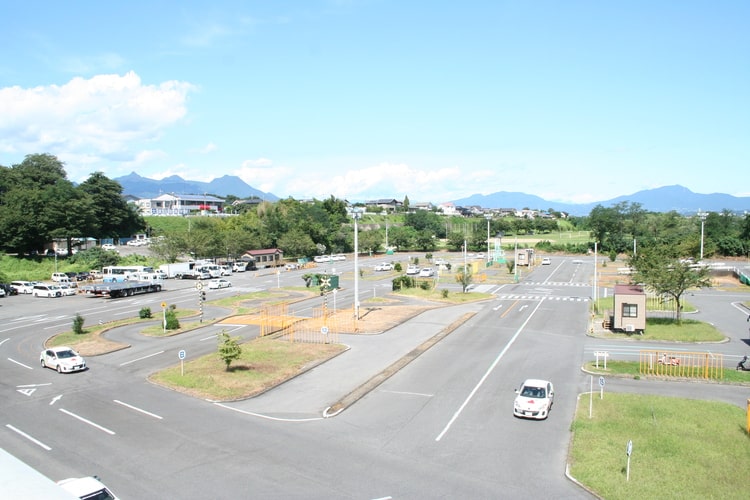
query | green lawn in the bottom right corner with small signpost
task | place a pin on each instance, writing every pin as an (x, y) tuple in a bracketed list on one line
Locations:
[(681, 448)]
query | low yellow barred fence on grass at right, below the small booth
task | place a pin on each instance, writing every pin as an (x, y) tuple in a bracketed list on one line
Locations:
[(703, 365)]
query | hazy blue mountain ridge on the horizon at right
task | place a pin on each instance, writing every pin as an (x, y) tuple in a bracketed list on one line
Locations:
[(664, 199)]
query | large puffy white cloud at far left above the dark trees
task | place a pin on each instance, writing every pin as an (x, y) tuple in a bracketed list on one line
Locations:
[(92, 120)]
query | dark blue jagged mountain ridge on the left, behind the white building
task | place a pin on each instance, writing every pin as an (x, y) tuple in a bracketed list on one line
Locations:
[(143, 187)]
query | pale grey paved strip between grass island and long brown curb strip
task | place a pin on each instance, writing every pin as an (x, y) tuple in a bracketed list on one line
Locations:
[(331, 387)]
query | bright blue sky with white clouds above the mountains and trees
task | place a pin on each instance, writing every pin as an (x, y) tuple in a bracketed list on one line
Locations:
[(573, 101)]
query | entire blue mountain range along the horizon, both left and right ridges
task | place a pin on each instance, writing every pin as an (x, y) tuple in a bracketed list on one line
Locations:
[(664, 199)]
